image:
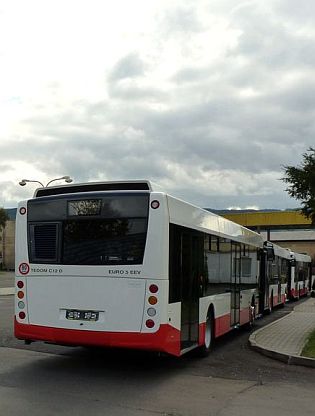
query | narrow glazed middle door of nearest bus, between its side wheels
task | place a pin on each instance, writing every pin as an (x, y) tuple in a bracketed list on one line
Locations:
[(236, 284)]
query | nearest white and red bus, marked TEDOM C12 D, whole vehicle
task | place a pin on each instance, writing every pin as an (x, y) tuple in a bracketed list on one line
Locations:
[(121, 264)]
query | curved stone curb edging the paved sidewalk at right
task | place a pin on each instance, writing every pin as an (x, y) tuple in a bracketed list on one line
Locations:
[(277, 355)]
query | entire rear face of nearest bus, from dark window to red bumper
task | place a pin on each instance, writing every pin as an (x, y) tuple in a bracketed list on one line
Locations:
[(92, 269)]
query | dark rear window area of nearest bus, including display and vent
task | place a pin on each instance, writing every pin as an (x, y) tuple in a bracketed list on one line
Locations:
[(105, 230)]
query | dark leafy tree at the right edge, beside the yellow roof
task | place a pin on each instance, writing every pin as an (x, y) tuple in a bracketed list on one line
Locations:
[(301, 183)]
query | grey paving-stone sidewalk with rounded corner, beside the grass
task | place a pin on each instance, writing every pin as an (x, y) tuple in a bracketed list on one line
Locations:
[(285, 338)]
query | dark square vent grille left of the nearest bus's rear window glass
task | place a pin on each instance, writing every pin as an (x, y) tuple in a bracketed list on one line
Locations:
[(43, 242)]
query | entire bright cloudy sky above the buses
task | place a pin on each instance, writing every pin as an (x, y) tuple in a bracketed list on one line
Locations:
[(207, 98)]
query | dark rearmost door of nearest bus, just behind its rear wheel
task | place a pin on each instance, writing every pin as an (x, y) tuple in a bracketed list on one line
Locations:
[(192, 265)]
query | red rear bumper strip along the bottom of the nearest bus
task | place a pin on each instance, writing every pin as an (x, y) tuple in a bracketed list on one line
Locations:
[(166, 339)]
